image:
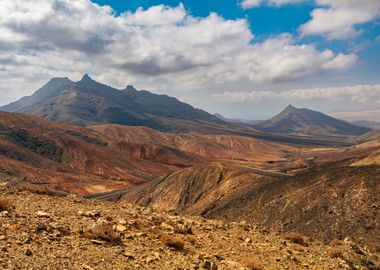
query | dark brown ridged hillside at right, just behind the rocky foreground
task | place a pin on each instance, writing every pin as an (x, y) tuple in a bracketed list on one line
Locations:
[(341, 199)]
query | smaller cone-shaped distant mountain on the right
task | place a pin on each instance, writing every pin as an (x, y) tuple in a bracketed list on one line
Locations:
[(307, 122)]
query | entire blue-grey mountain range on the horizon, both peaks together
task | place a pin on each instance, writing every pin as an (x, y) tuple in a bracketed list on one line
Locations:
[(88, 102)]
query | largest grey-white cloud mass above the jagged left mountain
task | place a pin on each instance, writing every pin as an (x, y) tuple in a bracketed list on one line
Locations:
[(160, 46)]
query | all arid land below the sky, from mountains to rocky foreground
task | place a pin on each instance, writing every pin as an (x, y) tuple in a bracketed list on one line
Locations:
[(300, 190)]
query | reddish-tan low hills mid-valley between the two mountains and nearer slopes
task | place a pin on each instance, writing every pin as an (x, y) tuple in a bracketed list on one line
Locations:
[(211, 147)]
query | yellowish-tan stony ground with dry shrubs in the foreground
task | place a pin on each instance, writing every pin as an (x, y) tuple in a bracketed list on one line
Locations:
[(39, 231)]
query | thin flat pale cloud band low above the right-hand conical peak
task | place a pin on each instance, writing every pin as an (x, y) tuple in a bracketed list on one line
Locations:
[(357, 93)]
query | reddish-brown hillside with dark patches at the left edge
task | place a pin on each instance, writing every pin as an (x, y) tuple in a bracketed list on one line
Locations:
[(80, 160)]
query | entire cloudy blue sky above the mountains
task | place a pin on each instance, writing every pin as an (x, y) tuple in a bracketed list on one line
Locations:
[(242, 58)]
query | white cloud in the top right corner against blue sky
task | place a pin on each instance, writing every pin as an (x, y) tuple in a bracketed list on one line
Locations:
[(338, 19)]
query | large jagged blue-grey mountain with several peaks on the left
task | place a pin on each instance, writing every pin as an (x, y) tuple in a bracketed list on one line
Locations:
[(89, 102)]
